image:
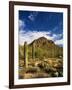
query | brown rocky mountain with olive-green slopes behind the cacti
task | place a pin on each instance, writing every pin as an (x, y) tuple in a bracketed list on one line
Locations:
[(42, 48)]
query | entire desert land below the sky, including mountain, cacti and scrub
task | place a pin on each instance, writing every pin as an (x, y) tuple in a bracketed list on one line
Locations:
[(40, 59)]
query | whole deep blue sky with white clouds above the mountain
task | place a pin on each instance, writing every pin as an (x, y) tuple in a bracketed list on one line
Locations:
[(33, 25)]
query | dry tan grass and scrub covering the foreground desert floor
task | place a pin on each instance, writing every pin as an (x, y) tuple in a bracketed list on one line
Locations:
[(51, 67)]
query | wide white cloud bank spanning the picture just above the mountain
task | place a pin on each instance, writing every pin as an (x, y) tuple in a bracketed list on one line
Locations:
[(29, 36)]
